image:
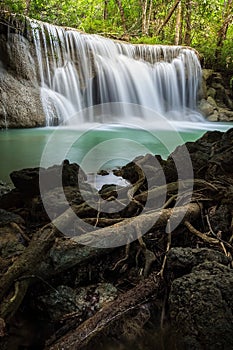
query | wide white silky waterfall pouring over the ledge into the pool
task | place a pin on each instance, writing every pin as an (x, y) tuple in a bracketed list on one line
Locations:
[(78, 70)]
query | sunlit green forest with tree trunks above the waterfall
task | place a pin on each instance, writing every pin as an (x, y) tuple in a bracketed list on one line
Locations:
[(206, 25)]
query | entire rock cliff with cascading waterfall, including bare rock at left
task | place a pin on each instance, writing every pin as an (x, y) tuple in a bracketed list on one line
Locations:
[(50, 74)]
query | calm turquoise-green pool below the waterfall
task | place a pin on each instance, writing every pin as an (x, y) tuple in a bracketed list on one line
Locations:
[(95, 147)]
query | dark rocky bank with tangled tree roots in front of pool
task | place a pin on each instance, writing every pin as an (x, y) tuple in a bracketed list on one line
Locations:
[(165, 289)]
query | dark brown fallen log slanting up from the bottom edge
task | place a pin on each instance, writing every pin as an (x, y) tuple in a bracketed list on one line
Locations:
[(88, 332)]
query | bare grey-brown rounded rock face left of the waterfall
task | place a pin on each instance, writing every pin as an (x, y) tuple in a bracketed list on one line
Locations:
[(20, 105)]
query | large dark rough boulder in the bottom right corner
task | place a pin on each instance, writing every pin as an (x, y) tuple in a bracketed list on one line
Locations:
[(201, 307)]
